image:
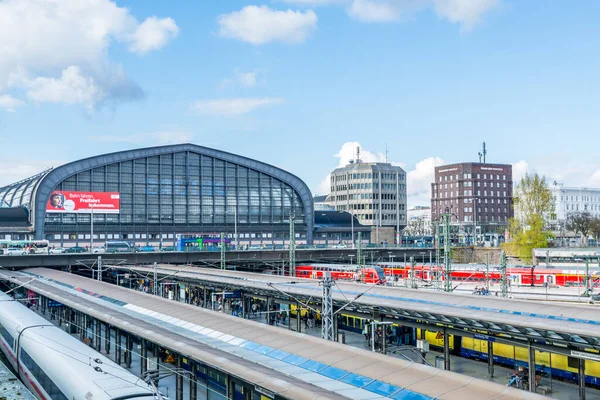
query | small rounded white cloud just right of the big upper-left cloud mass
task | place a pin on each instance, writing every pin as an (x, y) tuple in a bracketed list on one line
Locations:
[(153, 34)]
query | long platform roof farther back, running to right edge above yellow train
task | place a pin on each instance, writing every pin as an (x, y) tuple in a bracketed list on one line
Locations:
[(560, 324)]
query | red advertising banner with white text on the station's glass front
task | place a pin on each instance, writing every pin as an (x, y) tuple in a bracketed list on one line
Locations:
[(84, 202)]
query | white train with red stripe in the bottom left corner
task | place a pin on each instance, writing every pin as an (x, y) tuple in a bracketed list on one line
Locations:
[(56, 366)]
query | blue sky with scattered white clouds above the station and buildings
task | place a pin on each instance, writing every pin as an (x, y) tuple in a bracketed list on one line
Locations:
[(300, 83)]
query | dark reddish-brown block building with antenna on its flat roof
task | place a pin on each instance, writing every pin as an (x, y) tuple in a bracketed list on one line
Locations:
[(477, 195)]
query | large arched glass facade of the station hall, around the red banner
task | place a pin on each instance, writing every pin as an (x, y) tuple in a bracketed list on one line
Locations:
[(182, 193)]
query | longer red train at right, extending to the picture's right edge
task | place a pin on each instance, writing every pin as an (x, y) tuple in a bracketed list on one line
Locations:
[(477, 273)]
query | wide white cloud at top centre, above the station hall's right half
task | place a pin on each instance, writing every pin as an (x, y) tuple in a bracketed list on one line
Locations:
[(260, 25)]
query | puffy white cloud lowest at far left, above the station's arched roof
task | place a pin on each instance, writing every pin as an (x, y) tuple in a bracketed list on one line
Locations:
[(70, 88)]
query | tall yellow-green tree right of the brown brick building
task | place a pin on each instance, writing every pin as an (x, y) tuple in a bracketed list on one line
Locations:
[(534, 206)]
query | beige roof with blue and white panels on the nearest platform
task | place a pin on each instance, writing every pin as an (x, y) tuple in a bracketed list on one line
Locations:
[(331, 369)]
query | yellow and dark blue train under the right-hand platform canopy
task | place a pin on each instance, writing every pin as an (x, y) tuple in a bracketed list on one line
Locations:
[(560, 366)]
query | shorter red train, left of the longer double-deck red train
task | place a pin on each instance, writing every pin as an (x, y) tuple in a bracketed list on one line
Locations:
[(372, 274)]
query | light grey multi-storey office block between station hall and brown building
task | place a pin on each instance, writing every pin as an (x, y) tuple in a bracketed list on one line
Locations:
[(374, 192)]
